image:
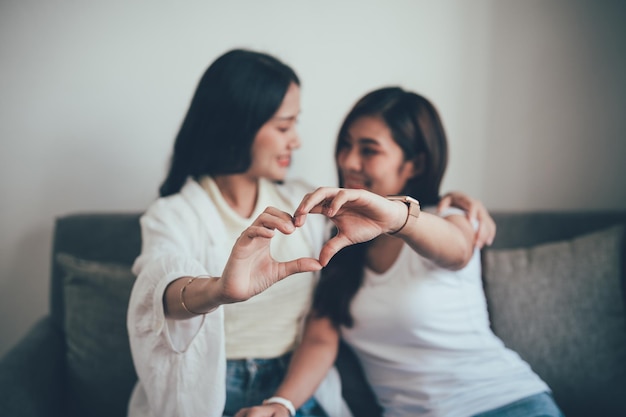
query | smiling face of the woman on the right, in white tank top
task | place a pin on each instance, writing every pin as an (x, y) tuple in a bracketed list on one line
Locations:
[(369, 158)]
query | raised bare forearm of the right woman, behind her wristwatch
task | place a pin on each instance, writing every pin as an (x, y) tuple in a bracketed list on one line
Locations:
[(447, 243)]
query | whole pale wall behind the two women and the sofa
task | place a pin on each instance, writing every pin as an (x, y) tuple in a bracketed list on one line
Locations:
[(92, 93)]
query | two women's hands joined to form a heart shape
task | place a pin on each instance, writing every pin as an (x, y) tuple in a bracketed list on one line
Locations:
[(358, 214)]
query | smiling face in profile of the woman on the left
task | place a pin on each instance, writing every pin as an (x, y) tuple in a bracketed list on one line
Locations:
[(277, 138)]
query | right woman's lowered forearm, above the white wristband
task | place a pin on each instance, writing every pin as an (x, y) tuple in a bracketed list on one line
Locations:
[(310, 362)]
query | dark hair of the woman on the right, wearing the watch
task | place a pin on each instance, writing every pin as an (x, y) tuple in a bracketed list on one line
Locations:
[(416, 127)]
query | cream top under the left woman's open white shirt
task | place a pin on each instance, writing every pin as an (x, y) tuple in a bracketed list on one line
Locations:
[(267, 325)]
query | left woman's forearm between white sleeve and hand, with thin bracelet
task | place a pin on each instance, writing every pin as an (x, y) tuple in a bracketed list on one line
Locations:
[(188, 297)]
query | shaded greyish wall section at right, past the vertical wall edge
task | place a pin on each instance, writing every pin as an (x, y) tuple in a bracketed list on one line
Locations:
[(556, 125)]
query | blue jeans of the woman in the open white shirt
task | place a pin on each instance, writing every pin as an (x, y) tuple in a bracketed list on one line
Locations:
[(250, 381)]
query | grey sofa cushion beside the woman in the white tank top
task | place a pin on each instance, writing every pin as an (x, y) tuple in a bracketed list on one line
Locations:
[(560, 305)]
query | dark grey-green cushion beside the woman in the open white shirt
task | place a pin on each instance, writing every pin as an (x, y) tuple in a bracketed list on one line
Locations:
[(100, 370)]
